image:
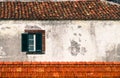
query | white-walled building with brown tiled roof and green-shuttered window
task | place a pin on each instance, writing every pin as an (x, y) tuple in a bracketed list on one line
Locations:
[(66, 31)]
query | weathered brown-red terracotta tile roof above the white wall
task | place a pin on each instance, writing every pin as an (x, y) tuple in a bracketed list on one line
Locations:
[(81, 10)]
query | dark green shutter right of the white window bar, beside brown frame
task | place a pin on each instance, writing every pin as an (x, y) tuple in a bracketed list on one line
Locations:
[(39, 42)]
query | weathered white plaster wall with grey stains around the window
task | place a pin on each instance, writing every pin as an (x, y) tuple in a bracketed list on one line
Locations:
[(65, 40)]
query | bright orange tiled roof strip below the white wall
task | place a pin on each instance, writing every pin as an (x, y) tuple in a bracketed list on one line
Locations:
[(60, 69)]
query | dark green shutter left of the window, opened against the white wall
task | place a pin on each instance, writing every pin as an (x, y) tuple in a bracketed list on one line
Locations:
[(24, 42)]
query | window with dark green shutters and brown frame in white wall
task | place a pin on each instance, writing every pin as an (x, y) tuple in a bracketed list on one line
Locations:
[(33, 42)]
